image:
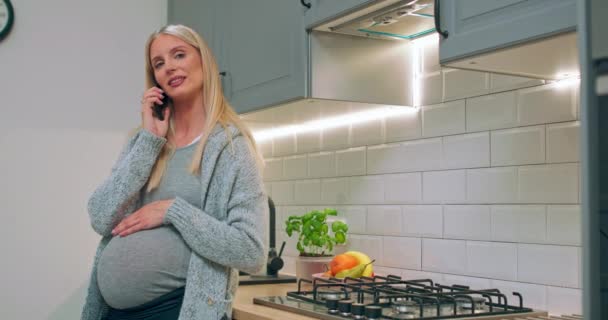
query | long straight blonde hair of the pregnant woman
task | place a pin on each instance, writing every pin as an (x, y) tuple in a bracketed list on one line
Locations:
[(217, 108)]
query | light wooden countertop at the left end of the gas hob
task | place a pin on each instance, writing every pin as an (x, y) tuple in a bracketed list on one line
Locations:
[(244, 309)]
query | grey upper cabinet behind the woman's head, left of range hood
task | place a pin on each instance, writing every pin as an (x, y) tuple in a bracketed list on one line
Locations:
[(260, 46)]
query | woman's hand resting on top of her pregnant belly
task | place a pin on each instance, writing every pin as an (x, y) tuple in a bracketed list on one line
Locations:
[(149, 216)]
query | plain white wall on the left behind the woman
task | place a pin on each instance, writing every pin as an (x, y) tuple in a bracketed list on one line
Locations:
[(71, 76)]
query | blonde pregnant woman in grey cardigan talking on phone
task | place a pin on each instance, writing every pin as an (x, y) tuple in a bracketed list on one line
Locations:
[(183, 208)]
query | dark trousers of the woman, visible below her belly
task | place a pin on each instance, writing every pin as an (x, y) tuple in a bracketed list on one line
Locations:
[(165, 307)]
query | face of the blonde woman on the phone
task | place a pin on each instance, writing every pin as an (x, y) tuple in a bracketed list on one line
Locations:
[(177, 66)]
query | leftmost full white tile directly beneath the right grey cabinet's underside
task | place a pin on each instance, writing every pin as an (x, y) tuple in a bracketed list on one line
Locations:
[(460, 84)]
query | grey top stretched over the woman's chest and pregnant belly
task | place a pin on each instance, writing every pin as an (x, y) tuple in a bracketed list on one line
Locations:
[(145, 265)]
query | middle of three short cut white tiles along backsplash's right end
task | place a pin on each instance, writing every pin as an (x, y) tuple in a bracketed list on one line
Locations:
[(564, 225)]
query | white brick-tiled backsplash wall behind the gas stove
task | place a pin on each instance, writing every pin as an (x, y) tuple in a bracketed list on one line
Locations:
[(481, 187)]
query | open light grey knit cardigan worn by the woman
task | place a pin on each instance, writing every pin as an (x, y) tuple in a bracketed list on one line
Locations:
[(226, 236)]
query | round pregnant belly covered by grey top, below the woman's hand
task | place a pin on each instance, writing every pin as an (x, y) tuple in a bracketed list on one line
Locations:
[(142, 266)]
